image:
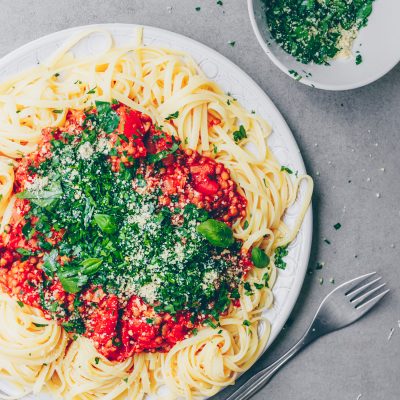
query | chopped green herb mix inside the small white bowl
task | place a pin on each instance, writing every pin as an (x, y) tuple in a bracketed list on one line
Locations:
[(311, 30)]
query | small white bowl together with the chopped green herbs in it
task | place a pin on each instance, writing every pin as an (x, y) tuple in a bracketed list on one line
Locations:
[(329, 44)]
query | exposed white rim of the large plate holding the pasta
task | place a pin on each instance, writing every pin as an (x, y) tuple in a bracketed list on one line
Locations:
[(241, 86)]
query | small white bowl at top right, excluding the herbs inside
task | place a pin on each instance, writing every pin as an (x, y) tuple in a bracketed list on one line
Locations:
[(378, 44)]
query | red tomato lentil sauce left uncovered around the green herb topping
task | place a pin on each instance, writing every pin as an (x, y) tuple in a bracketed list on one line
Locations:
[(118, 327)]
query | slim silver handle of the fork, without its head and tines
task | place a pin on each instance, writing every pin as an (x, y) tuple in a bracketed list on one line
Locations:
[(261, 378)]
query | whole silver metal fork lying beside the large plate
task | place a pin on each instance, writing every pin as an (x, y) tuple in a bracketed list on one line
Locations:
[(343, 306)]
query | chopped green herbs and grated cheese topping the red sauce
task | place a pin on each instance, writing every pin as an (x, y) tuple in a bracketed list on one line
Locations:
[(119, 239)]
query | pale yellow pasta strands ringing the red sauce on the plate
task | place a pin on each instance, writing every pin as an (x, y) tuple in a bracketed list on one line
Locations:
[(168, 87)]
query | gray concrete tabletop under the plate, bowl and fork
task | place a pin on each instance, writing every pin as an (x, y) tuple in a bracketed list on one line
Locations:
[(346, 138)]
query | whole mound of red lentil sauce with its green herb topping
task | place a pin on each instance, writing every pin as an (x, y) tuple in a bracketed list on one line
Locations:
[(121, 235)]
